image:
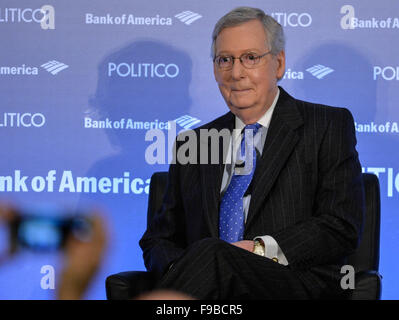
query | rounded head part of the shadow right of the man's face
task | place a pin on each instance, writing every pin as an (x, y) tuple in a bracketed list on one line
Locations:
[(350, 83)]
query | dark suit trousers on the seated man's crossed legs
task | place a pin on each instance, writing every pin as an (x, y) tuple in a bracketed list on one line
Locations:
[(214, 269)]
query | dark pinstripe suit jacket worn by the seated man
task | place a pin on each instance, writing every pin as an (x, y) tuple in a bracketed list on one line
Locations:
[(307, 193)]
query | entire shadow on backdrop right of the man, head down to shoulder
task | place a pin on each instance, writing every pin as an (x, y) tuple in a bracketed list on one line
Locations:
[(350, 85)]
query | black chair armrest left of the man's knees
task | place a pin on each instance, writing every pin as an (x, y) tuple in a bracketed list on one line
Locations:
[(127, 285)]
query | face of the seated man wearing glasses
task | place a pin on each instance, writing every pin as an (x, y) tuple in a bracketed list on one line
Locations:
[(248, 92)]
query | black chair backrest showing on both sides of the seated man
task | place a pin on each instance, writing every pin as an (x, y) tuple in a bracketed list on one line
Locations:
[(366, 256)]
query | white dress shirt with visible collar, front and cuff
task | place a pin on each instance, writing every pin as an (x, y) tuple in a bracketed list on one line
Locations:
[(272, 249)]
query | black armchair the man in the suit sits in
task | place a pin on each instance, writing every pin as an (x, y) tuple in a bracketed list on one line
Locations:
[(126, 285)]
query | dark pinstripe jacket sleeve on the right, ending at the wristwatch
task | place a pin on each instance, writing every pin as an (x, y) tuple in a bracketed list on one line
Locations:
[(333, 231)]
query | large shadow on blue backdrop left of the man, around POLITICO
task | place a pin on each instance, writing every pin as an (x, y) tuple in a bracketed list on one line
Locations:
[(151, 85)]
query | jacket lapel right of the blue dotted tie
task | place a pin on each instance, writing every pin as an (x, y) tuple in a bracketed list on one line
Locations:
[(280, 142)]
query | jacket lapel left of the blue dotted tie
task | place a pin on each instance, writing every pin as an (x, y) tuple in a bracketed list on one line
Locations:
[(212, 174)]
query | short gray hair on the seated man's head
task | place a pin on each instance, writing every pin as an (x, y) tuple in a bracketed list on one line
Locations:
[(274, 31)]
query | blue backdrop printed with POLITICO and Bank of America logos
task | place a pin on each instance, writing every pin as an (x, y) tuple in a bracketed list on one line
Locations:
[(82, 82)]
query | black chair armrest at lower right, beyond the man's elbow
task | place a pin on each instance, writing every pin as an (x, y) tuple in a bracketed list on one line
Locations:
[(367, 286)]
